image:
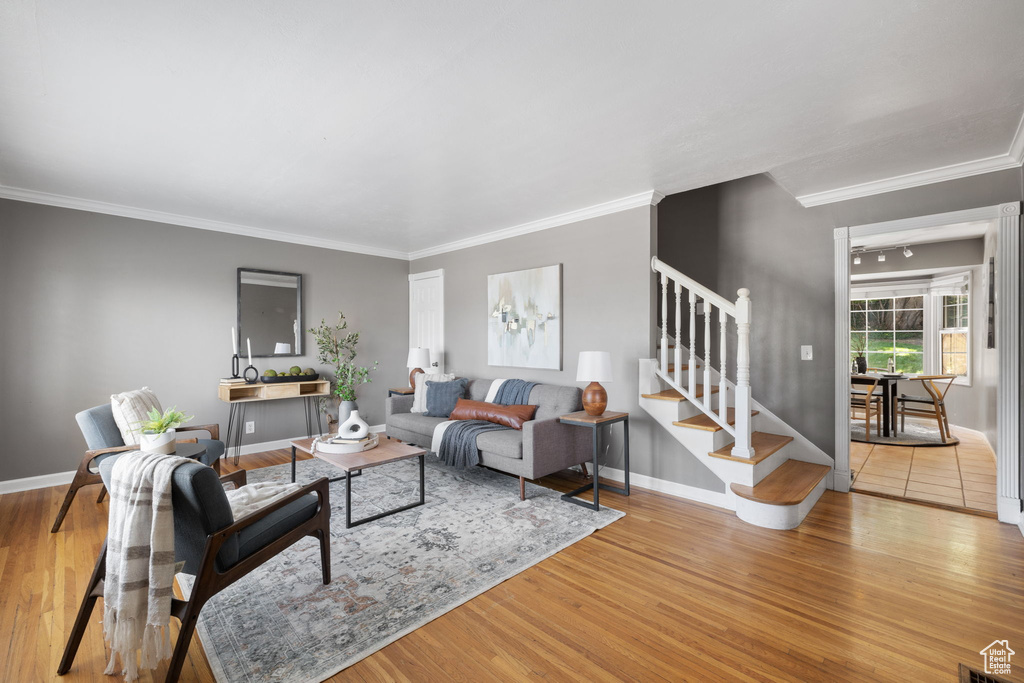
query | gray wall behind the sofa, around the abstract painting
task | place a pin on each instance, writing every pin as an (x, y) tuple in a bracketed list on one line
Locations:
[(608, 288)]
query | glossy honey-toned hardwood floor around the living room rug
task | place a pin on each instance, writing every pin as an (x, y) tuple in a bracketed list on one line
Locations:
[(867, 589)]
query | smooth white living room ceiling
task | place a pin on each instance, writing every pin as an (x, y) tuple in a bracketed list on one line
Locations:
[(400, 126)]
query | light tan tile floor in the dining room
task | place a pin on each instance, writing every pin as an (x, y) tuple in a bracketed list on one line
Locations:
[(962, 477)]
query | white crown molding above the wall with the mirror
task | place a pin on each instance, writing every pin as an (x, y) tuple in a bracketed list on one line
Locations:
[(191, 222)]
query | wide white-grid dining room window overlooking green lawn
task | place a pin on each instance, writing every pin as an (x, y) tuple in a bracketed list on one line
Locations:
[(891, 328)]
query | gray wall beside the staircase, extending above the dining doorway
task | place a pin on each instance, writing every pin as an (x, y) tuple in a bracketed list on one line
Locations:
[(751, 233)]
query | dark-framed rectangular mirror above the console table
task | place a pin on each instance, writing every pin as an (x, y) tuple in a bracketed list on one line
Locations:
[(271, 313)]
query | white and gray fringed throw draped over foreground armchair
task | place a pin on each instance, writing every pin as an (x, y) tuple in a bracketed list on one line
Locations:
[(140, 563)]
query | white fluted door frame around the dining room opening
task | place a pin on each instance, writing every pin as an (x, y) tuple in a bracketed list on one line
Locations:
[(1008, 338)]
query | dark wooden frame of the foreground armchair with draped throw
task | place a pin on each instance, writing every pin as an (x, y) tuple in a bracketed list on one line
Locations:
[(209, 581)]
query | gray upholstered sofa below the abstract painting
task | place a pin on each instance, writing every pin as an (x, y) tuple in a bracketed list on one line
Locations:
[(544, 446)]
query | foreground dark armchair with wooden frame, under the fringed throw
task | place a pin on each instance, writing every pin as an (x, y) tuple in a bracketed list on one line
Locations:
[(216, 547)]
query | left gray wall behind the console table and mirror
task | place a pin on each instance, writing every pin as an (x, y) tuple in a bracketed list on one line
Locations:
[(83, 312)]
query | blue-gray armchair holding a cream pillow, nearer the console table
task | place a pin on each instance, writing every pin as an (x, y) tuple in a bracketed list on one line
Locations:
[(104, 440)]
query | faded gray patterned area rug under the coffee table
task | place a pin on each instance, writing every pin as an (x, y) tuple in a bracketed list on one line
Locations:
[(390, 577)]
